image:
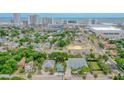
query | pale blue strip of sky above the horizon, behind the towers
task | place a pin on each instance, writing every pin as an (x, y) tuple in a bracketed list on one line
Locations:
[(70, 15)]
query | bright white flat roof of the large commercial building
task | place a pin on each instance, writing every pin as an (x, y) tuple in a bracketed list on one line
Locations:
[(105, 28)]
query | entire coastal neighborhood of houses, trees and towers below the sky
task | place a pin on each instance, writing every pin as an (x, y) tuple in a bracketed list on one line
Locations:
[(46, 48)]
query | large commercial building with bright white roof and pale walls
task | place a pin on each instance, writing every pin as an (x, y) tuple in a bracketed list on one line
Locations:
[(108, 32)]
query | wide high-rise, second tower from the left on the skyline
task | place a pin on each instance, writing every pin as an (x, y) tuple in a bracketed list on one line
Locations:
[(33, 20)]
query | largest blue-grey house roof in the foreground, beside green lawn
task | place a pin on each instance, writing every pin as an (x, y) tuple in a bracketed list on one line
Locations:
[(76, 63)]
